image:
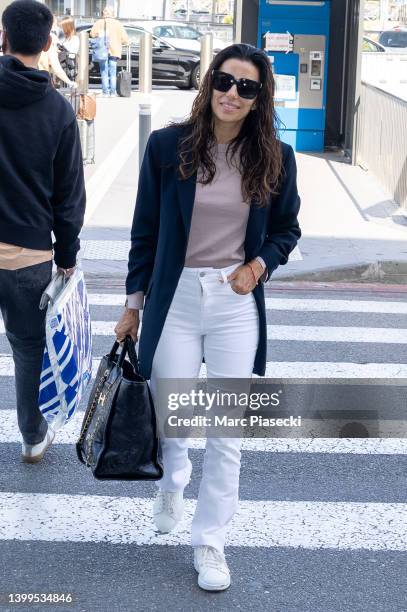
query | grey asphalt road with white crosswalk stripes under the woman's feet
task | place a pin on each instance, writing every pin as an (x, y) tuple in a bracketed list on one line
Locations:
[(328, 521)]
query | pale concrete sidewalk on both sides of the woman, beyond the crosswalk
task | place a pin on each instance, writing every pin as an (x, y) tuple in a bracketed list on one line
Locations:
[(351, 229)]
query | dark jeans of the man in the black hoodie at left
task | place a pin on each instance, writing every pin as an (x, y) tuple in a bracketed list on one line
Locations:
[(20, 294)]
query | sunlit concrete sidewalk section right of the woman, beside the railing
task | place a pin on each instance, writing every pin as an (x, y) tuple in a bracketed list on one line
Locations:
[(351, 229)]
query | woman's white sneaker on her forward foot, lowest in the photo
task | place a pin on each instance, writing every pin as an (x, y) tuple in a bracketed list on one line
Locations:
[(212, 568)]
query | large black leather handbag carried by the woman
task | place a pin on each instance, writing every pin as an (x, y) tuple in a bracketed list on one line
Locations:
[(118, 439)]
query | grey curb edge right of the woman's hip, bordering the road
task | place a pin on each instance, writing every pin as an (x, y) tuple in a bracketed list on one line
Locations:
[(385, 272)]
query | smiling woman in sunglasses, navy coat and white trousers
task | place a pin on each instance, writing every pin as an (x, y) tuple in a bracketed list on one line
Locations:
[(217, 201)]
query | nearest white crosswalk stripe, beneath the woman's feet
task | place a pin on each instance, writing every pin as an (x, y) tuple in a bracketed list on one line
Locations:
[(124, 520)]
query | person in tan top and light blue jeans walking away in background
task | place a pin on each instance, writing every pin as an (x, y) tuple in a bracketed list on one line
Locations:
[(117, 37)]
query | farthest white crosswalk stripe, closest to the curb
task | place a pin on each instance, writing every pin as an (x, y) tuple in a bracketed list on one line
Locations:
[(305, 305)]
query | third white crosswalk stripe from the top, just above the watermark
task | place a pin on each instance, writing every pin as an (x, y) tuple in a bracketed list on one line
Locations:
[(289, 369)]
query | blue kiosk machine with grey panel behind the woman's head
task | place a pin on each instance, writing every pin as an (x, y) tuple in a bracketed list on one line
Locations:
[(295, 36)]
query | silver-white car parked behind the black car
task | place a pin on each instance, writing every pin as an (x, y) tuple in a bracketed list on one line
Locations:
[(181, 35)]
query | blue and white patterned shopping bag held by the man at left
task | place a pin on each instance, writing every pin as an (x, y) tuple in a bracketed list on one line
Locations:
[(67, 362)]
